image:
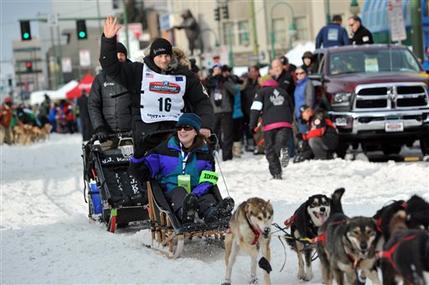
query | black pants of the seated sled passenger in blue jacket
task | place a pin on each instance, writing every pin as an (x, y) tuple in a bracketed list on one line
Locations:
[(176, 197)]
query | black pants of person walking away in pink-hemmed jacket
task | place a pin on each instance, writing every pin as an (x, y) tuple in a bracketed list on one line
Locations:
[(274, 141)]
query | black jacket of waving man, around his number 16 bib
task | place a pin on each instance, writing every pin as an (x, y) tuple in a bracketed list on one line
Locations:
[(130, 75)]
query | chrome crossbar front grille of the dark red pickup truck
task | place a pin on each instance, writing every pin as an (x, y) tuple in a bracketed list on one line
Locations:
[(390, 96)]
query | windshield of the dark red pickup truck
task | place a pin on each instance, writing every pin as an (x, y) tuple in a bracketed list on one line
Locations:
[(371, 61)]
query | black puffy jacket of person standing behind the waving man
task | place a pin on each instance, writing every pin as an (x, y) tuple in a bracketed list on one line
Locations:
[(109, 105)]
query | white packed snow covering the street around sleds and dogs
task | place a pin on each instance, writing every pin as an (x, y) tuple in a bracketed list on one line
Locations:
[(46, 236)]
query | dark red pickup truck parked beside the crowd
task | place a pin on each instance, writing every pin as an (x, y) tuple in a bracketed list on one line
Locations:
[(376, 95)]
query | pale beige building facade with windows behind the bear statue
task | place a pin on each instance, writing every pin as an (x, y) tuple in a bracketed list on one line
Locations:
[(253, 31)]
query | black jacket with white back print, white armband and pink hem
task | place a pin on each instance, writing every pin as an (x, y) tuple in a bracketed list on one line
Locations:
[(276, 107)]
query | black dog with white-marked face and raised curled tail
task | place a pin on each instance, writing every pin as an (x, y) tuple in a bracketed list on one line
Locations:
[(305, 224)]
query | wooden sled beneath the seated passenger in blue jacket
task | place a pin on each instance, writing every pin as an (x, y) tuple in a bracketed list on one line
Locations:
[(168, 233)]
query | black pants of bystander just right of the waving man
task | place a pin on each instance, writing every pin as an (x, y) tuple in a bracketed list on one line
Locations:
[(224, 131)]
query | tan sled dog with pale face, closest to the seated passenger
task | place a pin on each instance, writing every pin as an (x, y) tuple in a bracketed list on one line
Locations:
[(249, 230)]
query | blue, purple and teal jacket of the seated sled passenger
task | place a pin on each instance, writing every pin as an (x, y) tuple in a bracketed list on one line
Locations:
[(164, 164)]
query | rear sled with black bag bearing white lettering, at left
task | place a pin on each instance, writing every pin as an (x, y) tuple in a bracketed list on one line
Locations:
[(114, 196)]
